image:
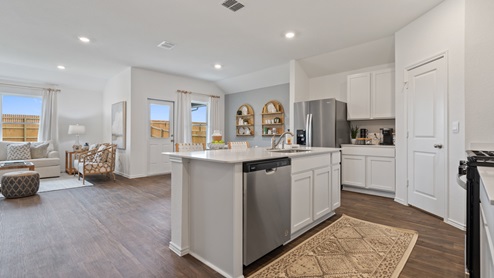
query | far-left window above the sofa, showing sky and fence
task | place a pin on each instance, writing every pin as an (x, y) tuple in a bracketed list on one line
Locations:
[(20, 117)]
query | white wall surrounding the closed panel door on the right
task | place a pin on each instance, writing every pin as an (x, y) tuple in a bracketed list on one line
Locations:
[(439, 30)]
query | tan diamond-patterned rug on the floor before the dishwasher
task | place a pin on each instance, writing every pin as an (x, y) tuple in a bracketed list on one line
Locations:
[(349, 248)]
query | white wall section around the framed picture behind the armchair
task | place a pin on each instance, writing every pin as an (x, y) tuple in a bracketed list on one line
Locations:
[(118, 89)]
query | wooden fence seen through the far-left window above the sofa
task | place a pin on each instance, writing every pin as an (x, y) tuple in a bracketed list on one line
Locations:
[(20, 128)]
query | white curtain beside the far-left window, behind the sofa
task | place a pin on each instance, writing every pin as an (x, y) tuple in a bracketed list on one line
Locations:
[(48, 127)]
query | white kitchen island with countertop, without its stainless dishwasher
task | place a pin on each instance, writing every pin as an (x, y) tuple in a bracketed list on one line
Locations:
[(206, 198)]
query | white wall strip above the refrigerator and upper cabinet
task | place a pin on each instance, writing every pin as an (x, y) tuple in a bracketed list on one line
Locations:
[(335, 85)]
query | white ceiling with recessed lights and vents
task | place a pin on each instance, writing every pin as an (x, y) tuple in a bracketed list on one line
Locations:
[(36, 36)]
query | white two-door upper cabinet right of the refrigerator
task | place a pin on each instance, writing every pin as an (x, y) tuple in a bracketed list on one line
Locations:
[(370, 95)]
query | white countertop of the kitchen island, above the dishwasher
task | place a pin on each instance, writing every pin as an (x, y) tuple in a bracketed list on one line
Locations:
[(251, 154)]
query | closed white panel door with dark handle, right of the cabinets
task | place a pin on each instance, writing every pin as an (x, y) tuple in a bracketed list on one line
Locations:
[(427, 149)]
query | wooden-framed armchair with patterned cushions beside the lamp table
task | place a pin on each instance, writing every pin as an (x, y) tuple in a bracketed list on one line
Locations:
[(97, 161)]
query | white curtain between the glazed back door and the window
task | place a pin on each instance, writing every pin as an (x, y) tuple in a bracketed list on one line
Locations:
[(184, 120)]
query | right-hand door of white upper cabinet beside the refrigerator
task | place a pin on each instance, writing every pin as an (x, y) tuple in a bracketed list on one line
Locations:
[(382, 95)]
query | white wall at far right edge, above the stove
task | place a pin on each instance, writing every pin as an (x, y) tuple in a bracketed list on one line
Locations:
[(479, 67)]
